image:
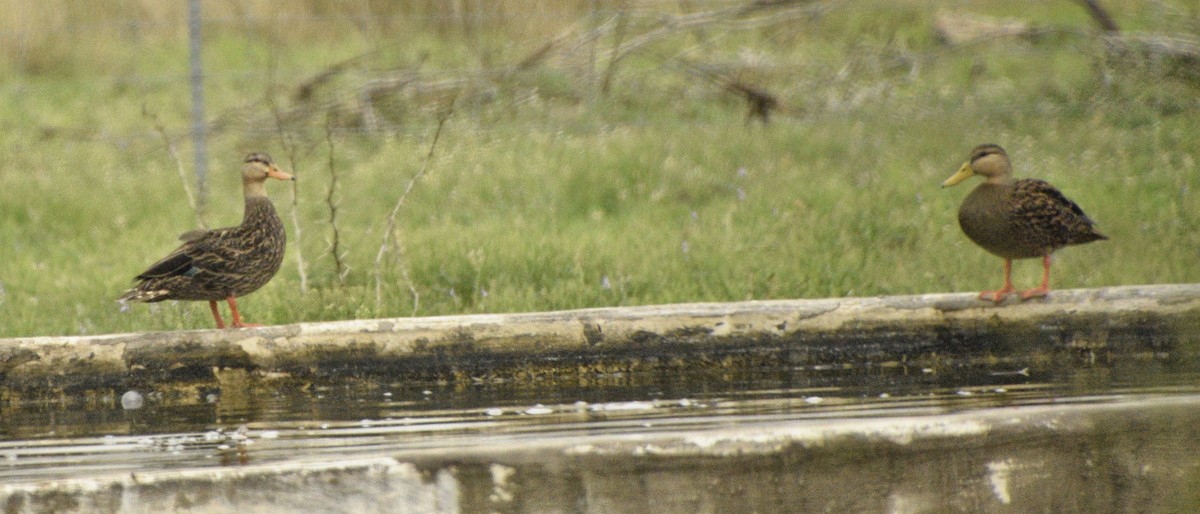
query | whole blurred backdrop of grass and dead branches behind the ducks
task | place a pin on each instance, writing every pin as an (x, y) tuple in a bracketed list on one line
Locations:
[(593, 153)]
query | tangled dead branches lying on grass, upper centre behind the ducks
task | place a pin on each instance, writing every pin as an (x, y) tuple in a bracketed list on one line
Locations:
[(589, 53)]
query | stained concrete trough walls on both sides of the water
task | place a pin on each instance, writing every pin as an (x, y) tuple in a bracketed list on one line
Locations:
[(1127, 456)]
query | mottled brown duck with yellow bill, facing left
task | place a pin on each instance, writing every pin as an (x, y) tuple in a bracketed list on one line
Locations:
[(1018, 219)]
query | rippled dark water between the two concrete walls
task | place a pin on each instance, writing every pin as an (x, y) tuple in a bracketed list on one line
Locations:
[(257, 421)]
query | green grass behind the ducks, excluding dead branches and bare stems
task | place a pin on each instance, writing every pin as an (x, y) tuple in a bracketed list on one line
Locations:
[(543, 195)]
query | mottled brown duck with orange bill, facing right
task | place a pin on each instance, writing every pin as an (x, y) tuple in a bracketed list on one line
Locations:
[(224, 264)]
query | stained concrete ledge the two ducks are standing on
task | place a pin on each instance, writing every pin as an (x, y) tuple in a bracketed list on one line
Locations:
[(916, 331)]
